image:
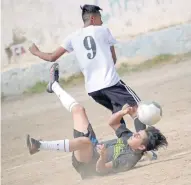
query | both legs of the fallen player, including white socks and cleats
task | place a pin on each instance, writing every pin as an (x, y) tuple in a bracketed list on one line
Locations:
[(81, 145)]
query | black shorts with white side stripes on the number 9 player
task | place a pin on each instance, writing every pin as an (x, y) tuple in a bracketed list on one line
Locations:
[(116, 96)]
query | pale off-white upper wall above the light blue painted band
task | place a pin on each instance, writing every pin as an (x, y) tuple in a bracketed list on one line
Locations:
[(47, 22)]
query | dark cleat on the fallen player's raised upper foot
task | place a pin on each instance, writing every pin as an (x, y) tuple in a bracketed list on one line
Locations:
[(54, 76)]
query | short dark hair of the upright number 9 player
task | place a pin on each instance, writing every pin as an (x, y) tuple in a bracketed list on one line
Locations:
[(88, 10)]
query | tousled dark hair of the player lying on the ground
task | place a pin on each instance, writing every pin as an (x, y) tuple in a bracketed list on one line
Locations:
[(155, 139)]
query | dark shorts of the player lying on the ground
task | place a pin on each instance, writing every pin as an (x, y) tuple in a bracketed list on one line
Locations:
[(86, 169)]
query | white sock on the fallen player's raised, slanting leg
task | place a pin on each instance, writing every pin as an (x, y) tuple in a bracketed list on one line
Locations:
[(67, 101)]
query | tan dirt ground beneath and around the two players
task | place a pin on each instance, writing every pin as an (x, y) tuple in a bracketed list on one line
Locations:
[(44, 117)]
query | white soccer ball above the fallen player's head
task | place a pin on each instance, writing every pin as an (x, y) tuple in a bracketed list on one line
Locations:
[(149, 113)]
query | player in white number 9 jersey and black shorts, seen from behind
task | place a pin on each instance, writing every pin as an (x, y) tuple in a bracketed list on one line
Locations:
[(93, 45)]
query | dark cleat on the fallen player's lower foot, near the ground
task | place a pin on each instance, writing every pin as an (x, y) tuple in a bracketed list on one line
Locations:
[(33, 145)]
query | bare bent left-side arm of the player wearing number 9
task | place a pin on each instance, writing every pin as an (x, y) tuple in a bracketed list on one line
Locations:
[(51, 57)]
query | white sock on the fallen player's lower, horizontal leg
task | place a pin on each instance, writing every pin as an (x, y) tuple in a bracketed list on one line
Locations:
[(62, 145)]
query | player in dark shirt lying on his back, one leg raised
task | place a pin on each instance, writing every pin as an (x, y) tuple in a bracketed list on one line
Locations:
[(89, 156)]
